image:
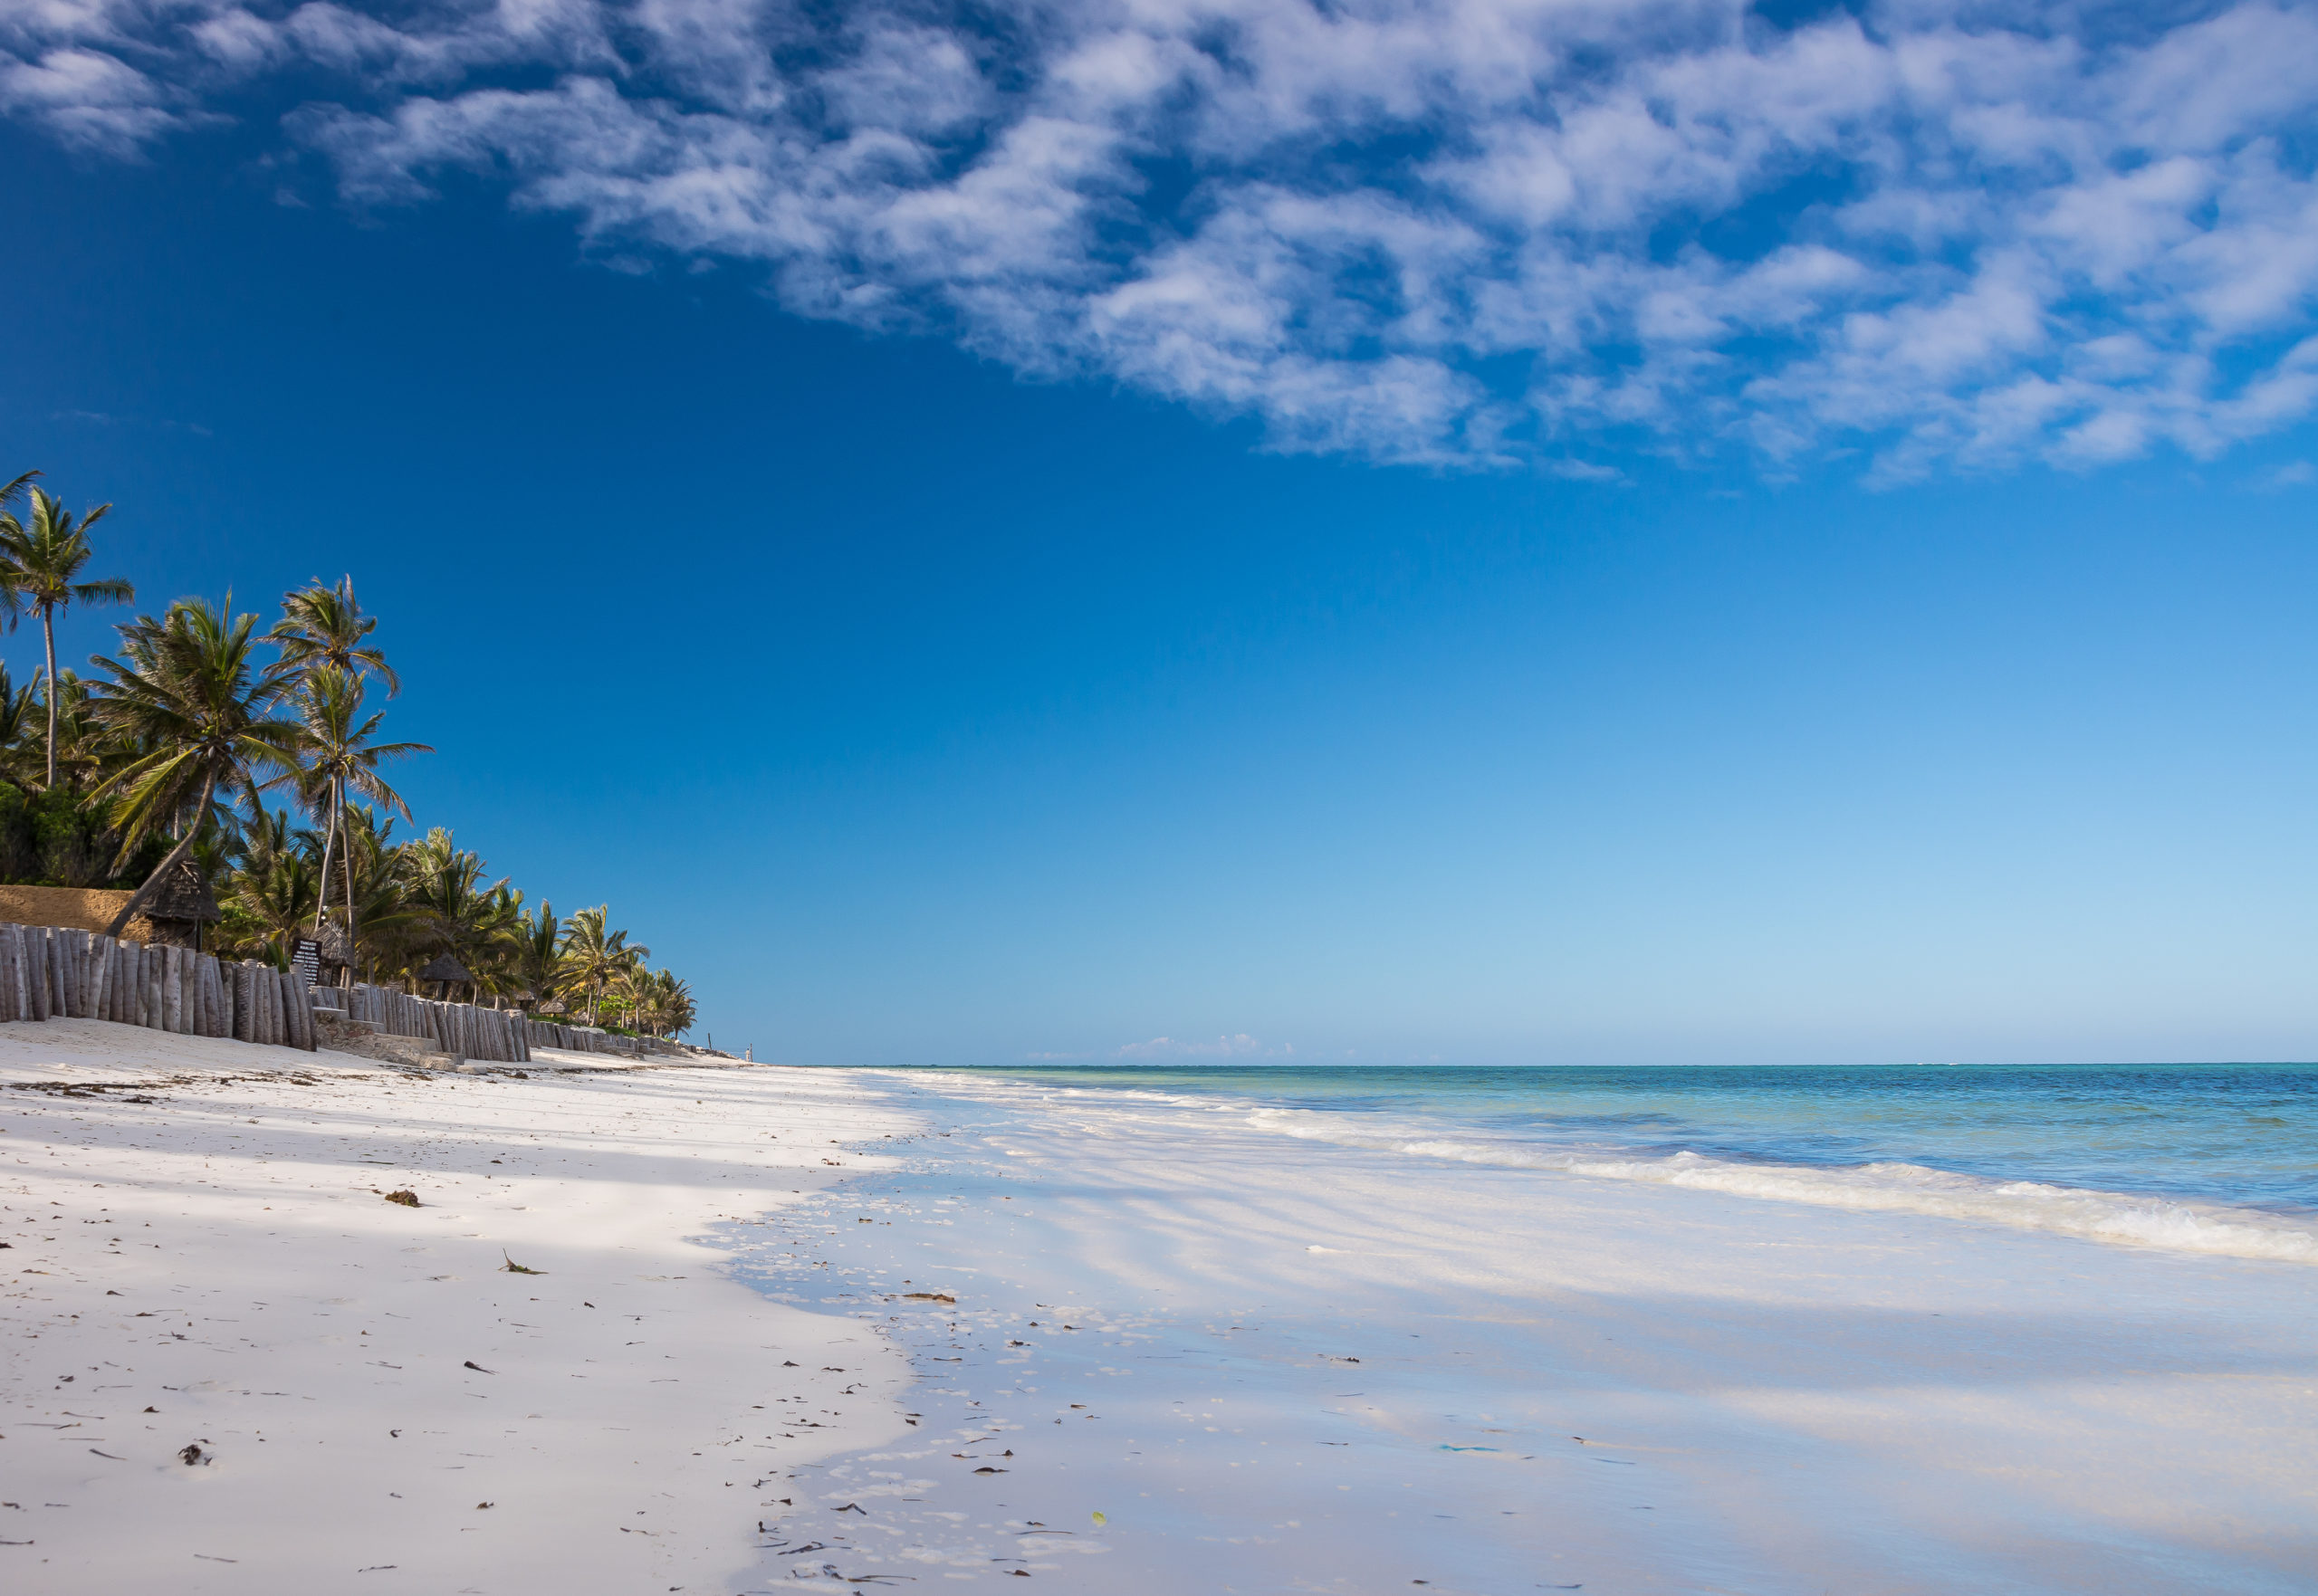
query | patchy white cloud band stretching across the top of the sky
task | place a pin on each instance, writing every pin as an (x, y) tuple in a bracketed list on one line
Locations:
[(1475, 233)]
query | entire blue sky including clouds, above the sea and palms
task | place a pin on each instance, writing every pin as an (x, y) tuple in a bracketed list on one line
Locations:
[(1471, 532)]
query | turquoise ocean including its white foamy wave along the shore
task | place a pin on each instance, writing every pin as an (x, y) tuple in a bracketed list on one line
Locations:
[(2203, 1157)]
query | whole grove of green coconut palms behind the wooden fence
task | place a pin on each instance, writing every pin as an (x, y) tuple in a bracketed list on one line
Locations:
[(256, 756)]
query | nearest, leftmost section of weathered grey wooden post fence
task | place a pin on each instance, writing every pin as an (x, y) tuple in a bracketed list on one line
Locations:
[(61, 972)]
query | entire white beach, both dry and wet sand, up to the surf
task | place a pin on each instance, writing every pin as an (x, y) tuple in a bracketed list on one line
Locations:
[(884, 1328)]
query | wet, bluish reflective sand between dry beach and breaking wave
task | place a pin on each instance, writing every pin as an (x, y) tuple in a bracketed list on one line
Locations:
[(1288, 1366)]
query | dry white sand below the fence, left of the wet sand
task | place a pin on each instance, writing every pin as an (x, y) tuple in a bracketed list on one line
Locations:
[(210, 1261)]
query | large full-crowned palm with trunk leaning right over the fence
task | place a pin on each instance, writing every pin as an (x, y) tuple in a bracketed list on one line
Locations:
[(194, 698)]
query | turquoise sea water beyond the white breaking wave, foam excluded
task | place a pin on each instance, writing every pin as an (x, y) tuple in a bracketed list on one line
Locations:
[(2243, 1136)]
